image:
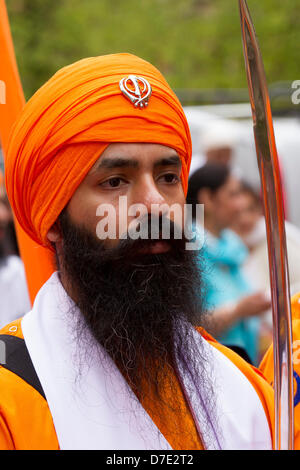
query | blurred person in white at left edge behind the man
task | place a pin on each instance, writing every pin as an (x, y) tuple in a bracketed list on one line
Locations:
[(14, 299)]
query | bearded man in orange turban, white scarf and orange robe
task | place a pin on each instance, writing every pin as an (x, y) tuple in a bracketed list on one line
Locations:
[(113, 354)]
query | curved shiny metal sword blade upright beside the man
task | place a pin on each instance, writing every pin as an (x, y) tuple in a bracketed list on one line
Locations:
[(274, 213)]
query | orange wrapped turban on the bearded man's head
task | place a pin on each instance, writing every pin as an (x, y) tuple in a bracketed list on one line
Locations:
[(67, 124)]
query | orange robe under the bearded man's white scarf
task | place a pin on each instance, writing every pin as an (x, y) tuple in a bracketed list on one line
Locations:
[(26, 422)]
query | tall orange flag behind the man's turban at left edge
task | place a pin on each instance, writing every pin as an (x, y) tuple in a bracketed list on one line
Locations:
[(37, 260)]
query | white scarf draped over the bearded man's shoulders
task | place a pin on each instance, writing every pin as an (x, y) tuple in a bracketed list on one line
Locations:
[(93, 408)]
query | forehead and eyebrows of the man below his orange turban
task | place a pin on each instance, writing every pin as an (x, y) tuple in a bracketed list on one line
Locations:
[(135, 155)]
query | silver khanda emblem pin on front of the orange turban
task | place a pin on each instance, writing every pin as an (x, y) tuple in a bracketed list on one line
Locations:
[(137, 89)]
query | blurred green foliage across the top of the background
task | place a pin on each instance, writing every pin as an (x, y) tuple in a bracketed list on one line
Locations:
[(195, 43)]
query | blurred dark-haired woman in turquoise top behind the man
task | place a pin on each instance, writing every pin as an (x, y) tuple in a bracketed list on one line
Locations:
[(230, 298)]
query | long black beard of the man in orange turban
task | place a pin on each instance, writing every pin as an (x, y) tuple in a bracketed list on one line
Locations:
[(140, 308)]
